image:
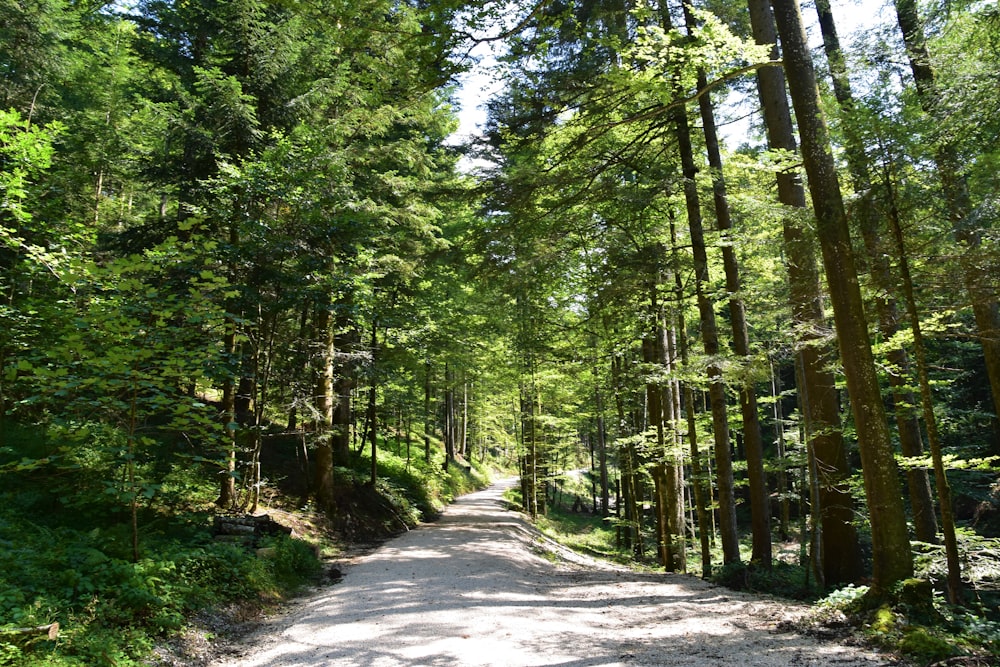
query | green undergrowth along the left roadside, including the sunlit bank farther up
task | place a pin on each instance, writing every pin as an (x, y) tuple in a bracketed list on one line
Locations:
[(66, 548)]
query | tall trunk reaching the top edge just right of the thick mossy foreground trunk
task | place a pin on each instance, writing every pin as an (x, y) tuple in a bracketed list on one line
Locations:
[(867, 217)]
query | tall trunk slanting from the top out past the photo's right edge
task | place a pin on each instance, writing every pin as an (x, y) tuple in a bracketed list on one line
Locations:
[(982, 290)]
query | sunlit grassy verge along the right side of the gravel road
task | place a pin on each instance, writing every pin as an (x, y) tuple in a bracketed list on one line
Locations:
[(915, 626)]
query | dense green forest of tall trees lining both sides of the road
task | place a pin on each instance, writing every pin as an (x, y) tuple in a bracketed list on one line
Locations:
[(740, 270)]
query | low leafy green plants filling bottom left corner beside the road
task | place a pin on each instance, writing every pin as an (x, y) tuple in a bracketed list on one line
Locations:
[(71, 562)]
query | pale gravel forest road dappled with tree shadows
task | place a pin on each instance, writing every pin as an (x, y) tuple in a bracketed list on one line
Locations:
[(476, 588)]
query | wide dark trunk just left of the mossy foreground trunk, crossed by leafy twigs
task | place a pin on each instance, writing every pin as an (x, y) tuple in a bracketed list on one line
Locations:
[(817, 386)]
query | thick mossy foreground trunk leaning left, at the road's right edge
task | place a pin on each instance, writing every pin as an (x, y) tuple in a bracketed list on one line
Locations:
[(892, 559)]
